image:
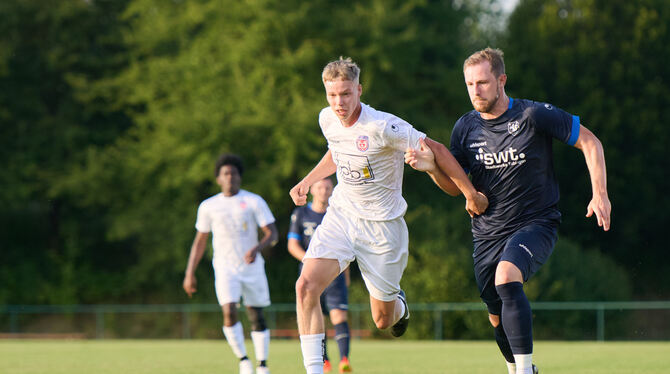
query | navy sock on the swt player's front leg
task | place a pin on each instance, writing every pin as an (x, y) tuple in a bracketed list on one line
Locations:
[(516, 318)]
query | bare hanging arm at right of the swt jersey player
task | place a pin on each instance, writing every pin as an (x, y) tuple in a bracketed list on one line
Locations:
[(594, 154)]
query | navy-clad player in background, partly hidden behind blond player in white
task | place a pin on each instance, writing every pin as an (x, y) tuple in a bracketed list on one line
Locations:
[(335, 298)]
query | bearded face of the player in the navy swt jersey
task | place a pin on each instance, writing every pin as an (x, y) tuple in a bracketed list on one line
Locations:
[(483, 86)]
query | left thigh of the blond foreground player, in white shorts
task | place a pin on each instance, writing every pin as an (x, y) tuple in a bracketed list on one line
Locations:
[(332, 239)]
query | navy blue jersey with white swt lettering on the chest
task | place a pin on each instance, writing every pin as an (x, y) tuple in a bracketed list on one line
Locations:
[(510, 161)]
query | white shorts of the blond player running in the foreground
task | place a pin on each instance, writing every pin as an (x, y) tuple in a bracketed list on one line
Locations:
[(379, 247)]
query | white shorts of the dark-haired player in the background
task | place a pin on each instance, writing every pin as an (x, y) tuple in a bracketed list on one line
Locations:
[(250, 285)]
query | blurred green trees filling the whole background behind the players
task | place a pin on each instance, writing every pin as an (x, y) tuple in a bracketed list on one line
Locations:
[(113, 112)]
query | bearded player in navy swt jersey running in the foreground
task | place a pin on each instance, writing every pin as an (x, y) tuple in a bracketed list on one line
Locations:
[(505, 145)]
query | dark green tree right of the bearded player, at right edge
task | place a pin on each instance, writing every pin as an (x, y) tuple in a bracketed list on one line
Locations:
[(604, 61)]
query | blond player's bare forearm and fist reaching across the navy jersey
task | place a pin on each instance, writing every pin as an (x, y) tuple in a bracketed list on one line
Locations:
[(476, 203)]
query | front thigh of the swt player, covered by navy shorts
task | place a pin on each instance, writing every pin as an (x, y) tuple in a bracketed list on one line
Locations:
[(530, 247)]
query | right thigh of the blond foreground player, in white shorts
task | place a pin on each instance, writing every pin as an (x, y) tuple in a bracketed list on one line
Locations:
[(381, 252)]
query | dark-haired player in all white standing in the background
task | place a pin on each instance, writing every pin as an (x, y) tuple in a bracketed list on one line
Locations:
[(234, 216)]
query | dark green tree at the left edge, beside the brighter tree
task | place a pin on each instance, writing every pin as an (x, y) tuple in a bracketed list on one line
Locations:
[(53, 247)]
